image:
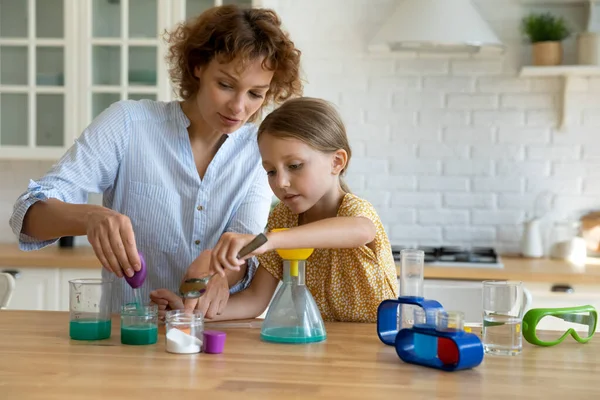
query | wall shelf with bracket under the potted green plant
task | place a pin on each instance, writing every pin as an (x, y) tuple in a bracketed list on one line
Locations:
[(566, 73)]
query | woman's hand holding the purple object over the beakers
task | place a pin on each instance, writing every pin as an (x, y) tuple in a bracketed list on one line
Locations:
[(111, 235)]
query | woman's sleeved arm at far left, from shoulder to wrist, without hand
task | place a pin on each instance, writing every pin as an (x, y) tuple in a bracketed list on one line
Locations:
[(55, 205)]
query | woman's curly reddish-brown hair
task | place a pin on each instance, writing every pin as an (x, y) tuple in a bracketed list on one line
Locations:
[(229, 32)]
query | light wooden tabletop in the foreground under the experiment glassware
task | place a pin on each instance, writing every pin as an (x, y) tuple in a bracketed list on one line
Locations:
[(39, 361)]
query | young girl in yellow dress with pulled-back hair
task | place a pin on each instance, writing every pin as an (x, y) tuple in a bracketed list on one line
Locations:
[(305, 152)]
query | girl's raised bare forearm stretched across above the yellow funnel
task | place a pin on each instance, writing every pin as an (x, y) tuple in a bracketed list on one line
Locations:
[(337, 232)]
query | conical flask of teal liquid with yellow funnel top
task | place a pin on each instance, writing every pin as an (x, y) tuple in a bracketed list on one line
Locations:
[(293, 316)]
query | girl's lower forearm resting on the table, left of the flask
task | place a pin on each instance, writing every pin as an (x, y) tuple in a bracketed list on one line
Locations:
[(250, 303)]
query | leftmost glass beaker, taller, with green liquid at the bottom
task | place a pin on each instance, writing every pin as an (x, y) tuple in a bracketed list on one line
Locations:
[(89, 309)]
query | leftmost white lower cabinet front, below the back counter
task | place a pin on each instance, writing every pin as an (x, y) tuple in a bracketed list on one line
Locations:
[(35, 289)]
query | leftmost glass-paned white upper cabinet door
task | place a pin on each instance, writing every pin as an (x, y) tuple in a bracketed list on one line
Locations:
[(37, 79)]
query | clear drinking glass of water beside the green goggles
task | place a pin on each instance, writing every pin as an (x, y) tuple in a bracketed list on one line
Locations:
[(503, 307)]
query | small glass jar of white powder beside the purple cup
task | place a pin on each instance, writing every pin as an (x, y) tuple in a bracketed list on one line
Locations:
[(184, 331)]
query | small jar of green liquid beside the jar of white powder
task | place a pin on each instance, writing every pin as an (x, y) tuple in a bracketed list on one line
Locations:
[(139, 325)]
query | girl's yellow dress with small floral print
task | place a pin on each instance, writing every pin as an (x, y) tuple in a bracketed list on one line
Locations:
[(347, 284)]
